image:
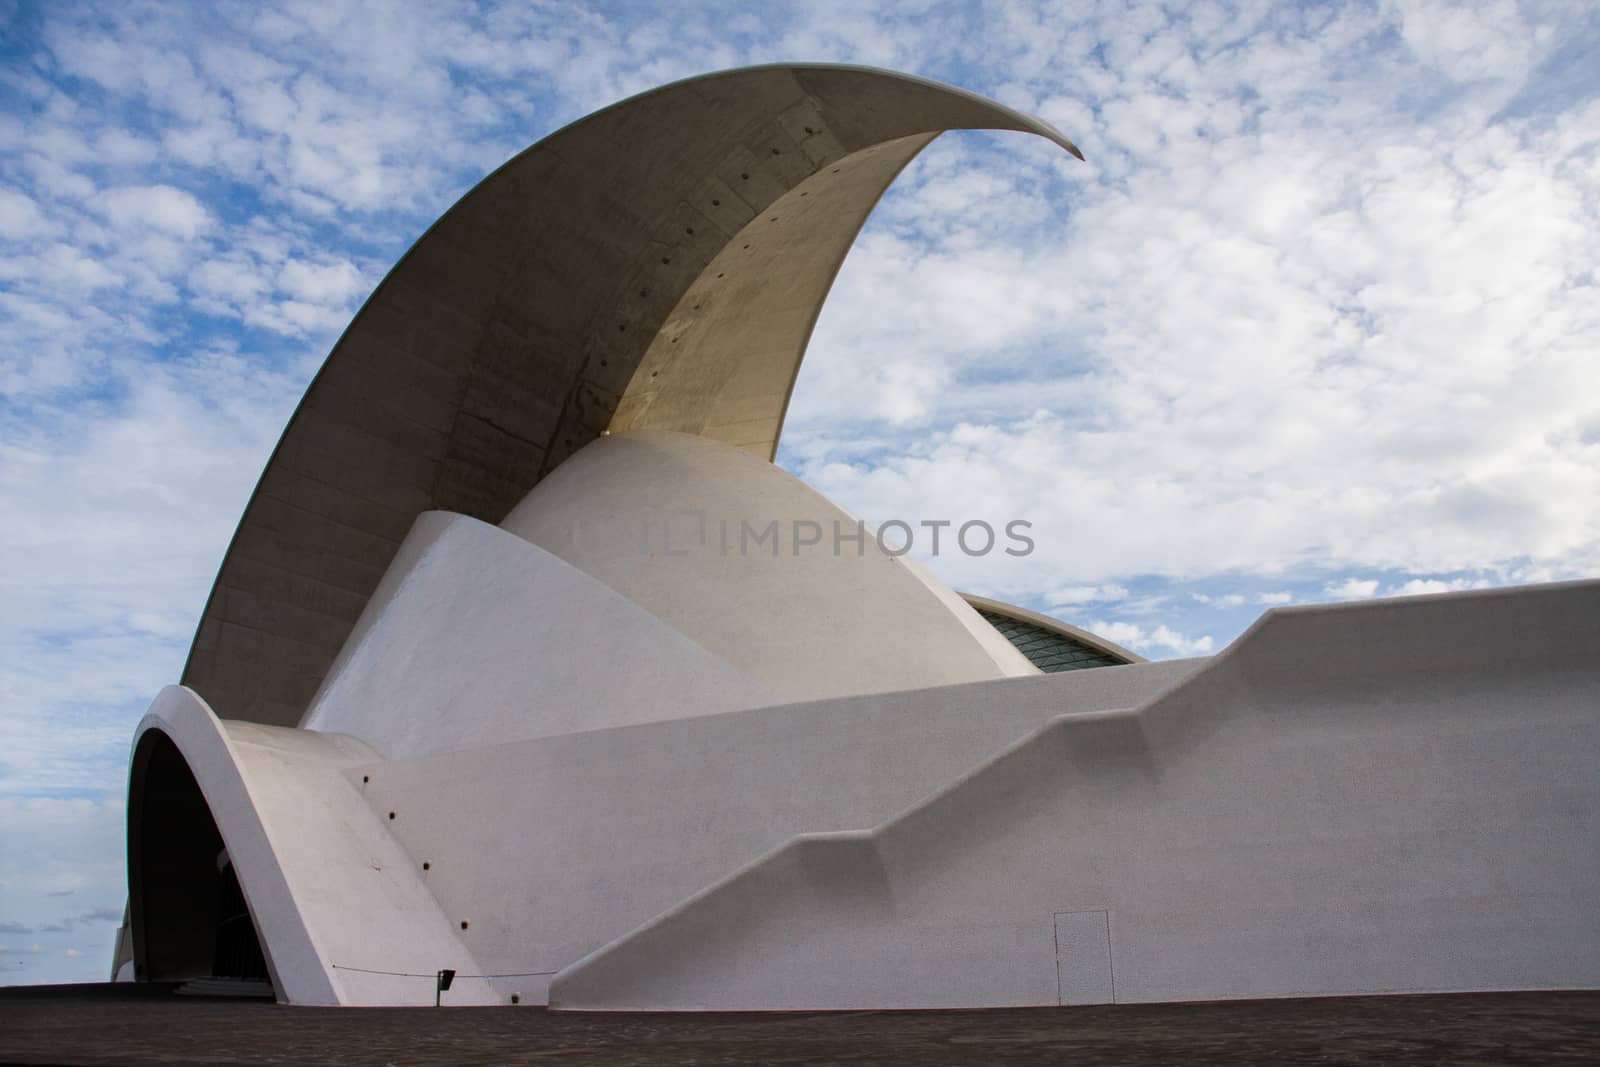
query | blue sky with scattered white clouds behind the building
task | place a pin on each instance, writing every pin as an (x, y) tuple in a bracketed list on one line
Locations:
[(1318, 321)]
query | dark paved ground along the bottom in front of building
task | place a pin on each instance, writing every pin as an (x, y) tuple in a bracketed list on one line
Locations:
[(1460, 1029)]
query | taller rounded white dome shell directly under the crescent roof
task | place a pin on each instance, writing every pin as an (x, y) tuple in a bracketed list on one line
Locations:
[(833, 618)]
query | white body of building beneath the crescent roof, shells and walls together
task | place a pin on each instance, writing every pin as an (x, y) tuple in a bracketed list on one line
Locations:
[(591, 753)]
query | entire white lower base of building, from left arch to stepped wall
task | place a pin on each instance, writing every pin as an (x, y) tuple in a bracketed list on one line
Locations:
[(1377, 797)]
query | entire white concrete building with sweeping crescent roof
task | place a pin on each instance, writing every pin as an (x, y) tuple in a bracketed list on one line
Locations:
[(596, 759)]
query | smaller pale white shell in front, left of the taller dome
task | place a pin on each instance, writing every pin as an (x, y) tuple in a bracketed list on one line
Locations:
[(478, 637)]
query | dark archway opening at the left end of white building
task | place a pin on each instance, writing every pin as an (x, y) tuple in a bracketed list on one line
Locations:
[(186, 906)]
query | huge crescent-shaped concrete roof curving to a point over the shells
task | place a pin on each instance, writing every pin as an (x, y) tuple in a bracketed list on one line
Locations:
[(658, 265)]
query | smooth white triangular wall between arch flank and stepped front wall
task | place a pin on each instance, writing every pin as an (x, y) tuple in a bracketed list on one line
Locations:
[(556, 847)]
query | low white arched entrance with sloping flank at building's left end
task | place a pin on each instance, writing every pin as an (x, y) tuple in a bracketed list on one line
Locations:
[(306, 849)]
